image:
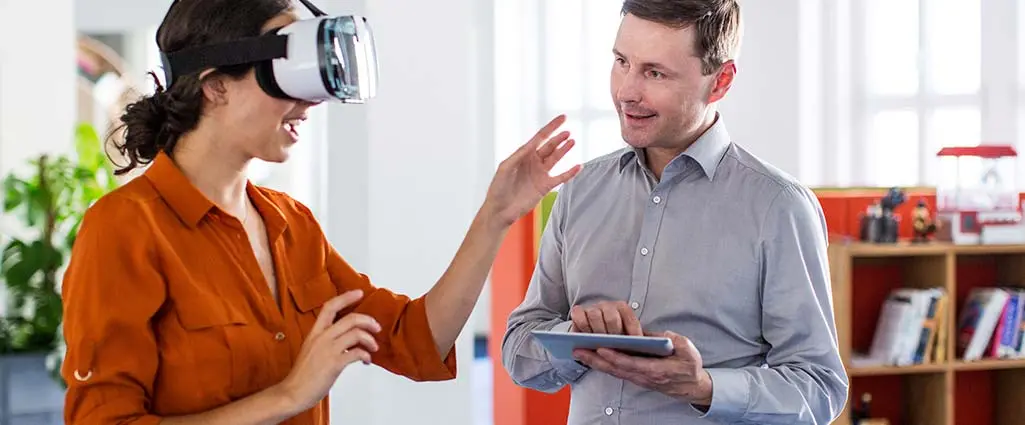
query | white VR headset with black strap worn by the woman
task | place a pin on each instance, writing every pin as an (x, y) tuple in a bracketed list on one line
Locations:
[(316, 60)]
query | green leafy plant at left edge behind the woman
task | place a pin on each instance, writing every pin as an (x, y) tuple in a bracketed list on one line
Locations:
[(29, 267)]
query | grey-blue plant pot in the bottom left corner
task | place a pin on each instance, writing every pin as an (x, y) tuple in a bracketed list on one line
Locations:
[(29, 396)]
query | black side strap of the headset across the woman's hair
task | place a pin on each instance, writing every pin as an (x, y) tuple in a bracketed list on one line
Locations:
[(249, 51)]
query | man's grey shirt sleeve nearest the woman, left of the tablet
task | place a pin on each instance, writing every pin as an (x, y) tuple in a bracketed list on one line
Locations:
[(546, 308)]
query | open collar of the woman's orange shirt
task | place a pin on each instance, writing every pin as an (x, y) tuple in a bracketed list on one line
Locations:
[(191, 205)]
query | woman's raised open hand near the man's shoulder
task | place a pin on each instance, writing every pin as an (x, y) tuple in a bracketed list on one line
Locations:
[(523, 179)]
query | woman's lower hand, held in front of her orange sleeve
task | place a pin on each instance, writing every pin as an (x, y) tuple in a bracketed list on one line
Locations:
[(327, 351)]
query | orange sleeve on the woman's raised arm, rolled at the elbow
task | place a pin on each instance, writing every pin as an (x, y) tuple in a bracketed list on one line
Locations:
[(406, 345)]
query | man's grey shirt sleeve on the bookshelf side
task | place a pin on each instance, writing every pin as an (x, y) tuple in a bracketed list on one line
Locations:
[(804, 381)]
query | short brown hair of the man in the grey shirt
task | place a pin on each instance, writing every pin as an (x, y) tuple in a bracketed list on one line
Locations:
[(717, 25)]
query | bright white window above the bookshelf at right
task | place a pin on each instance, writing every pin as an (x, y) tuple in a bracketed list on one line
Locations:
[(920, 87)]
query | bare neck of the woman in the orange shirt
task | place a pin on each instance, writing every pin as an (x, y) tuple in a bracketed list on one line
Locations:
[(218, 175)]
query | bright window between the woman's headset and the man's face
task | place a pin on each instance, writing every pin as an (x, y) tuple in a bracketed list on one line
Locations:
[(561, 50)]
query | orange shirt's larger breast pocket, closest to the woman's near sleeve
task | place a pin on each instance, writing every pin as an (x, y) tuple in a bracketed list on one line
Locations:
[(216, 352)]
